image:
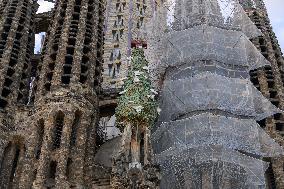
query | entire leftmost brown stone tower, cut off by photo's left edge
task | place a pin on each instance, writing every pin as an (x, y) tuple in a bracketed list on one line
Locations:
[(16, 32)]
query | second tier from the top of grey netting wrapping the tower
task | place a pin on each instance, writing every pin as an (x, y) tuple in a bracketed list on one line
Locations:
[(210, 43)]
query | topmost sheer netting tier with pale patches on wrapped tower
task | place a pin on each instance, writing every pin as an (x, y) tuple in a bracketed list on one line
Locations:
[(226, 14)]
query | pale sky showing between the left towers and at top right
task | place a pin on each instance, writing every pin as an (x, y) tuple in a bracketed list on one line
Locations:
[(274, 8)]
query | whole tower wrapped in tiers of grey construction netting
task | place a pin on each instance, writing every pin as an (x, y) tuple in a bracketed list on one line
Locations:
[(207, 135)]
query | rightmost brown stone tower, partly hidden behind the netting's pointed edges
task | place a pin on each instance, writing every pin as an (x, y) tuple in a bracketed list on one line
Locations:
[(270, 81)]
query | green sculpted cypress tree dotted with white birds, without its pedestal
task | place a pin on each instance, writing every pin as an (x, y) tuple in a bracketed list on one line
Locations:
[(137, 105)]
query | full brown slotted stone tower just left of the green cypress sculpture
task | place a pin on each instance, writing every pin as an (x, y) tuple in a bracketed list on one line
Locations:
[(61, 145)]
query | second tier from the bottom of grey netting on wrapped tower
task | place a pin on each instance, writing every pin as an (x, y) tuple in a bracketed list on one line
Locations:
[(209, 129)]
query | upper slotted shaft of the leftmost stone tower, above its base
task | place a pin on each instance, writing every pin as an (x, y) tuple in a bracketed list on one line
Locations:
[(16, 27)]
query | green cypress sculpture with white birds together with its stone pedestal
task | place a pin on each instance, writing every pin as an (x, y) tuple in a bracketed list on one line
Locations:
[(136, 113)]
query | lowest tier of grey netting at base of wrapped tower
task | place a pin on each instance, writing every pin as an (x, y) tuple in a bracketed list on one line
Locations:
[(210, 167)]
